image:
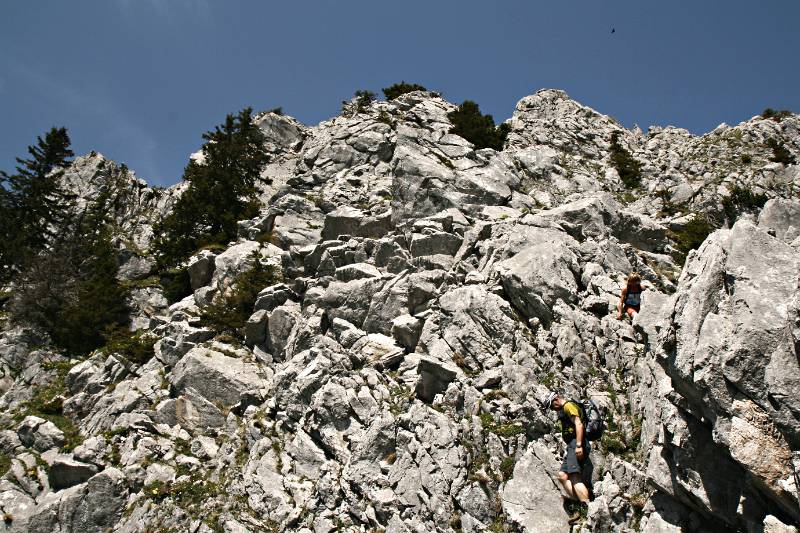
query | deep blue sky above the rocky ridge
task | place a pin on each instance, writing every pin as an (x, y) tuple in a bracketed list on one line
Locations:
[(141, 80)]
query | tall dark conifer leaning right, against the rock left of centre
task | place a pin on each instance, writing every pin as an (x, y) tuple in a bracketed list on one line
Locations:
[(221, 191)]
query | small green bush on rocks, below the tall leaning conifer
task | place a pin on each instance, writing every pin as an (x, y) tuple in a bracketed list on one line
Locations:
[(230, 313)]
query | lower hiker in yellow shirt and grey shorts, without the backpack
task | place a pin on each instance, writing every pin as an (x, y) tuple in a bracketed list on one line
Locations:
[(576, 464)]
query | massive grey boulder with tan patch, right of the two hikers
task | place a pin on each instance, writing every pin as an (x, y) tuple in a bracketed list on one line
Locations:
[(729, 342)]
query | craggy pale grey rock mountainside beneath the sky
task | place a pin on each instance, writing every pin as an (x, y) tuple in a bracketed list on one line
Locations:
[(431, 294)]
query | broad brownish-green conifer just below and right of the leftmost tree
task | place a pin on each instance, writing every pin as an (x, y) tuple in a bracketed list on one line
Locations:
[(71, 290)]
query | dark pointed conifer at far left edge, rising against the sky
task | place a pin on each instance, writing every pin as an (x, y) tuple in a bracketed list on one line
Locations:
[(32, 206)]
